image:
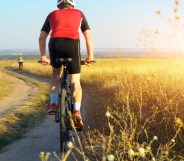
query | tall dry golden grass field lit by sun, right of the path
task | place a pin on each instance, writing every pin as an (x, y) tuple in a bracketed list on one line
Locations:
[(138, 105)]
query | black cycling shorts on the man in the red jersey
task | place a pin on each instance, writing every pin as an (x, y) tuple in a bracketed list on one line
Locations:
[(65, 48)]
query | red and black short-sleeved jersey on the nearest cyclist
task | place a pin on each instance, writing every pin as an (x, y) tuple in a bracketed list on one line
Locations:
[(65, 23)]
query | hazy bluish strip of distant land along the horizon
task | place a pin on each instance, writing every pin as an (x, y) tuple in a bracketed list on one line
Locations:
[(98, 53)]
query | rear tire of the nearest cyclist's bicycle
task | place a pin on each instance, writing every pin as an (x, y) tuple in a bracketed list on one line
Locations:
[(64, 132)]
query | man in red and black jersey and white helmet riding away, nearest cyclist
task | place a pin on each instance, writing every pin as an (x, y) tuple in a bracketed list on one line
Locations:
[(64, 43)]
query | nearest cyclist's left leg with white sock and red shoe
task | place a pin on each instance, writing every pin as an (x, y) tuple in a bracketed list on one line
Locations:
[(54, 82)]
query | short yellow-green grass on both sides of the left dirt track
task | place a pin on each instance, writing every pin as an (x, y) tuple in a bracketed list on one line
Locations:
[(16, 123)]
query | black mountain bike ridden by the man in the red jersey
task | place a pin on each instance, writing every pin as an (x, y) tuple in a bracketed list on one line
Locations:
[(64, 111)]
